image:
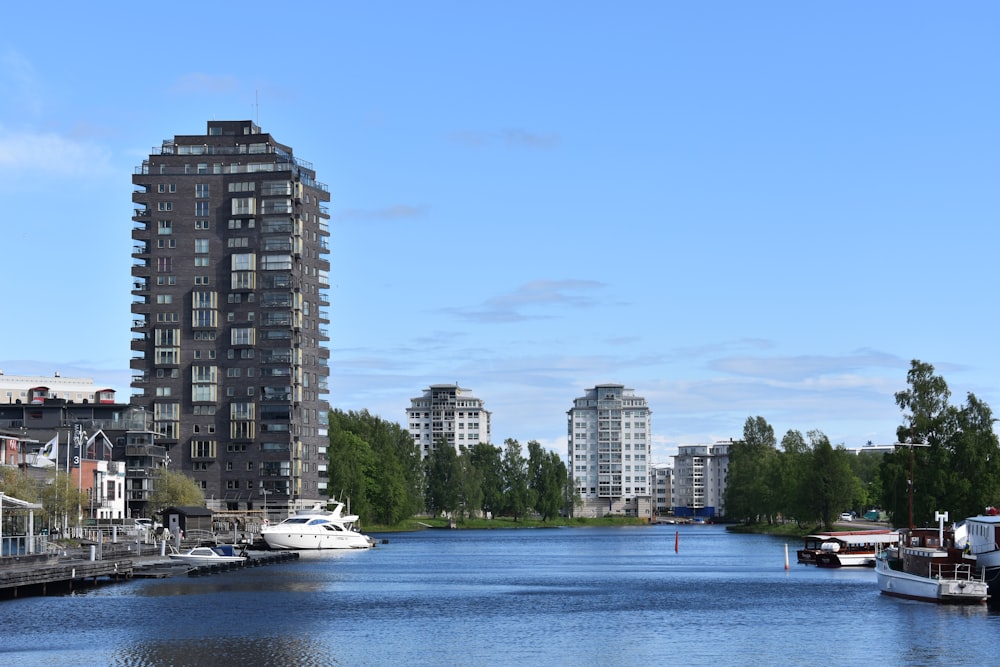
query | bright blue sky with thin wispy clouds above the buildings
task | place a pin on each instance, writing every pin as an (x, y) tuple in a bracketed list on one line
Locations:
[(734, 208)]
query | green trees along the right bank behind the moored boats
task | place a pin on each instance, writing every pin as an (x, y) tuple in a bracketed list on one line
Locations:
[(955, 464)]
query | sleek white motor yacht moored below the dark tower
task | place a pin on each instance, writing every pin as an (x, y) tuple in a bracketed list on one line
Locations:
[(317, 528)]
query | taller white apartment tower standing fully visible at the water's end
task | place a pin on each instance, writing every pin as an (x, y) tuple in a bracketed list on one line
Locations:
[(610, 451)]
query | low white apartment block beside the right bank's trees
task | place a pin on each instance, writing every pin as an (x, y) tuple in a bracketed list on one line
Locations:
[(699, 480)]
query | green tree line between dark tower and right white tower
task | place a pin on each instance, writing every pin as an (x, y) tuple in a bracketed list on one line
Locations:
[(378, 466)]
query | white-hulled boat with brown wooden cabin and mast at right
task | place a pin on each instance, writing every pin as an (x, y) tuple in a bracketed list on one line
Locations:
[(928, 566)]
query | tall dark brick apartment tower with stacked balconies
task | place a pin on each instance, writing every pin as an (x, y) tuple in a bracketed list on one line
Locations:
[(230, 273)]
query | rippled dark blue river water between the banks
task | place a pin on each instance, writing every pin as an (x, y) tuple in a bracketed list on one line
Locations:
[(565, 596)]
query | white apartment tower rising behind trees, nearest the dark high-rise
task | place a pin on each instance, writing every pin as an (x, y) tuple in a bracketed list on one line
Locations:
[(447, 413)]
